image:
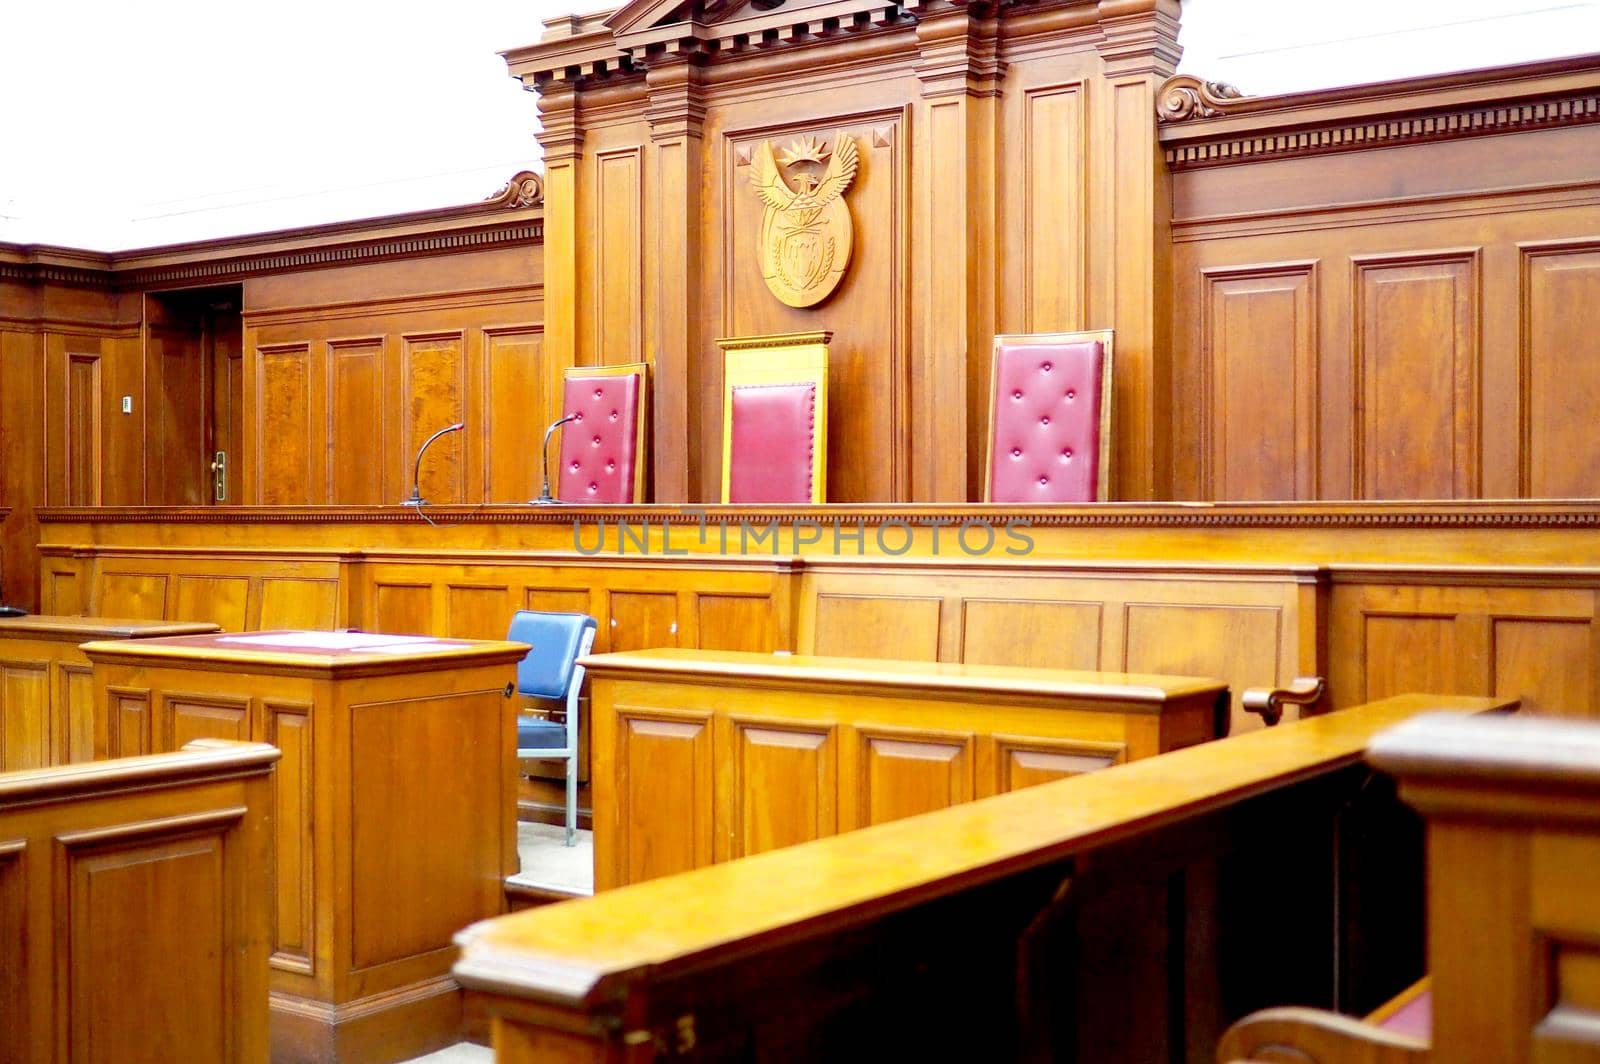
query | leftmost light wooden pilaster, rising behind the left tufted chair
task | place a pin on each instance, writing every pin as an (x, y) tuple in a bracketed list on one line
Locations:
[(562, 142)]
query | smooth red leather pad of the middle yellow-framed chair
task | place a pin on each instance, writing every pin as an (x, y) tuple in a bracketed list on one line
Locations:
[(774, 442)]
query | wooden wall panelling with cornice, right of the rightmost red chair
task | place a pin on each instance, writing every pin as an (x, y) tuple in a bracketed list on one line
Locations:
[(1378, 294)]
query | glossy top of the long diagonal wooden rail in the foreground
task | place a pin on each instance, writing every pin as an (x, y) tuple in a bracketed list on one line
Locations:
[(583, 951)]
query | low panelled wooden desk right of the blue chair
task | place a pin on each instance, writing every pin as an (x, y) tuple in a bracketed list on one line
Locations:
[(711, 756)]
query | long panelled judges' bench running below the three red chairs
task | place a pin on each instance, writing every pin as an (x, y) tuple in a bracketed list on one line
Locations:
[(1494, 599)]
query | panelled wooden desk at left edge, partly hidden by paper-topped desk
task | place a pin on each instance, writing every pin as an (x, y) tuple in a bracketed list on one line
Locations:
[(47, 694)]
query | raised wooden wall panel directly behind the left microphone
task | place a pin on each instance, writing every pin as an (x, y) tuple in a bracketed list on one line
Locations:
[(433, 388)]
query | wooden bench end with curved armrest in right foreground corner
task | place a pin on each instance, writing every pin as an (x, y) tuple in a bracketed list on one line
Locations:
[(1514, 844)]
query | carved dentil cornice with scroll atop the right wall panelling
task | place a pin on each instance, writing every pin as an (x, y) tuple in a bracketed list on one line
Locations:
[(1206, 124)]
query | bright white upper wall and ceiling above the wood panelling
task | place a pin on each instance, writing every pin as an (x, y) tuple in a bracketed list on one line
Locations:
[(145, 124)]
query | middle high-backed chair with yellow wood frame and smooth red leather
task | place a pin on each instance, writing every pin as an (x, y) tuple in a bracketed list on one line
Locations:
[(775, 418)]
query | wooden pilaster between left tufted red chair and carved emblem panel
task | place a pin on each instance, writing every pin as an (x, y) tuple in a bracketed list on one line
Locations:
[(673, 278)]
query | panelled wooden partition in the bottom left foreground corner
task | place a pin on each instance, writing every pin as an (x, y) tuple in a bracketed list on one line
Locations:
[(137, 927)]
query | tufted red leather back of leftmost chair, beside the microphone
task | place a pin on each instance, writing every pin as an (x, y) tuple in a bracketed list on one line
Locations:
[(599, 450)]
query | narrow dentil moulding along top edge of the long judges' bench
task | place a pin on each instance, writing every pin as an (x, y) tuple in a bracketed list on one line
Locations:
[(1489, 516)]
